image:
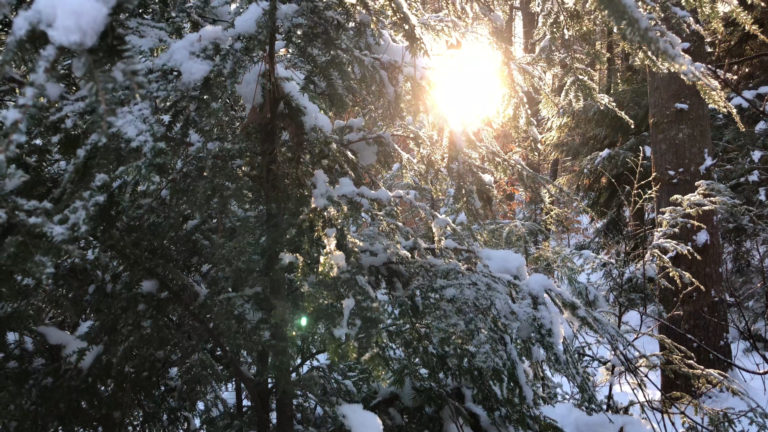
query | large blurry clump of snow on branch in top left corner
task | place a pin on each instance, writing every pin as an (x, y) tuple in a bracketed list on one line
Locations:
[(74, 24)]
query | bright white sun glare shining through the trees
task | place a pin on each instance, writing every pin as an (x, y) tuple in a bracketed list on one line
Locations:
[(467, 85)]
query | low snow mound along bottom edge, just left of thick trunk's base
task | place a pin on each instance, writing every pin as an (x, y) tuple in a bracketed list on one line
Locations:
[(572, 419)]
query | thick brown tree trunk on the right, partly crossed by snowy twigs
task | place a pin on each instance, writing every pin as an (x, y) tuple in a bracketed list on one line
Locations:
[(696, 318)]
